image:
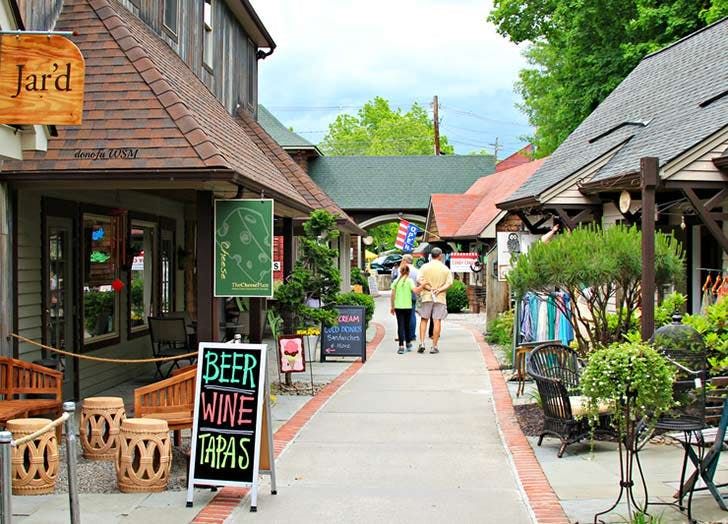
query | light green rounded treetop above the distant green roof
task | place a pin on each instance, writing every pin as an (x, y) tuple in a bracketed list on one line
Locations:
[(379, 130)]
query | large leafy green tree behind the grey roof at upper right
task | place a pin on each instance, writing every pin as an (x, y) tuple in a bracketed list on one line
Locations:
[(580, 51)]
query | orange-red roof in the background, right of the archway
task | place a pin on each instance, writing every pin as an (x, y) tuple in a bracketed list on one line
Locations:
[(469, 214)]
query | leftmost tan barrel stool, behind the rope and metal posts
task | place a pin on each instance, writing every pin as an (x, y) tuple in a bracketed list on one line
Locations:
[(35, 463)]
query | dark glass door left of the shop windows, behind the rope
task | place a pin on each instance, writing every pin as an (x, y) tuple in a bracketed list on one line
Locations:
[(59, 297)]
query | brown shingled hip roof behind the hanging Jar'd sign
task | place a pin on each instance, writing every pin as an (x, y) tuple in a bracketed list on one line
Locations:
[(140, 95)]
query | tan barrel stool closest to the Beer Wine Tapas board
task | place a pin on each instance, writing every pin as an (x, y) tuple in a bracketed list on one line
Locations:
[(145, 455)]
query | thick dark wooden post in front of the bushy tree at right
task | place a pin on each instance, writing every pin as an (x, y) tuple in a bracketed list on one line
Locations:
[(649, 167)]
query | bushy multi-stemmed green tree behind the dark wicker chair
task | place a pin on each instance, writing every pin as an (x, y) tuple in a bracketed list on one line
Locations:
[(596, 267)]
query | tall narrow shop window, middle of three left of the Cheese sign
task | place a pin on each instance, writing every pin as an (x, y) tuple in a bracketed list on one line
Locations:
[(141, 302)]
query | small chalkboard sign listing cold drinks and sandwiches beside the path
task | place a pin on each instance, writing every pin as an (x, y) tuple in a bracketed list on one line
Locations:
[(349, 337)]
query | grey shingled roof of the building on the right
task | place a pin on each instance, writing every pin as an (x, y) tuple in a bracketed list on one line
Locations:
[(675, 98)]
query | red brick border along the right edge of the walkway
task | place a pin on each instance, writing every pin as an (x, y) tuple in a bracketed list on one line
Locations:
[(541, 497)]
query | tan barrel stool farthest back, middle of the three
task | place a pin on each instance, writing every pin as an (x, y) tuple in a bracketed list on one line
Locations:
[(100, 420)]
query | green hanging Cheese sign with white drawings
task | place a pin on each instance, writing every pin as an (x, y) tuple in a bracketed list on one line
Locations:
[(244, 248)]
